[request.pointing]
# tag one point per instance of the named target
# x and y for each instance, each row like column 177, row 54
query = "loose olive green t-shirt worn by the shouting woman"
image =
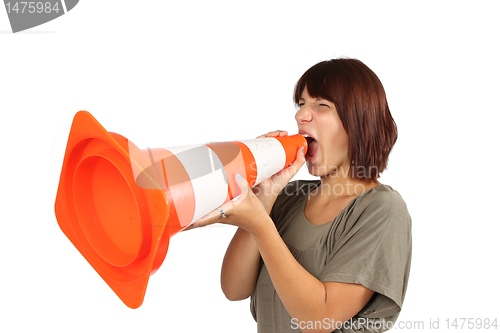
column 368, row 243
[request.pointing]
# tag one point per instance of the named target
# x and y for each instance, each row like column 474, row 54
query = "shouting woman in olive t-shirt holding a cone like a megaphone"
column 331, row 254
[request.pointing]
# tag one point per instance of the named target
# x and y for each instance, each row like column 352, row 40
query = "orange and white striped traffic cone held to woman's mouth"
column 119, row 205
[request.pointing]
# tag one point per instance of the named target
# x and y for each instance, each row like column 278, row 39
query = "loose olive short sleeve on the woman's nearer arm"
column 371, row 246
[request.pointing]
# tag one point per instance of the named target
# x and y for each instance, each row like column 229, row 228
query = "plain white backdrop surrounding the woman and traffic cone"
column 165, row 73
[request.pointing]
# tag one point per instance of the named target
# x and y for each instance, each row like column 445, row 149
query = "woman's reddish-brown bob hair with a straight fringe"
column 361, row 103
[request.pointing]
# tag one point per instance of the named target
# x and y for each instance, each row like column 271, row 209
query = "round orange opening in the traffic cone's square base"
column 107, row 210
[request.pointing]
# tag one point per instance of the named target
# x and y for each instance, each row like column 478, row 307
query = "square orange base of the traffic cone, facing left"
column 119, row 227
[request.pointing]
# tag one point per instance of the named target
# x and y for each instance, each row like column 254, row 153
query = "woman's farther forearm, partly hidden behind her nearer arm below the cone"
column 240, row 266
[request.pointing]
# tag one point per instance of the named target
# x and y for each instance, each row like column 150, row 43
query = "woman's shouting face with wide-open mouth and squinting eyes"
column 328, row 141
